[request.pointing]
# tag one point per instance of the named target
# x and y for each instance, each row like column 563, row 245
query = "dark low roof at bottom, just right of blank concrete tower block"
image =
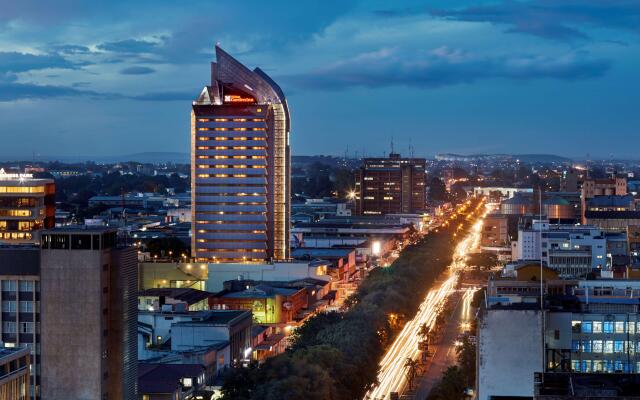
column 164, row 378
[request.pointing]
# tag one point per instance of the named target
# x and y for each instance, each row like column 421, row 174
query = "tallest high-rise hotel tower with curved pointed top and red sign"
column 240, row 167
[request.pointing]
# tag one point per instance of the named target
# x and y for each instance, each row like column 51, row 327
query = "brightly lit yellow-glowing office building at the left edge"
column 27, row 206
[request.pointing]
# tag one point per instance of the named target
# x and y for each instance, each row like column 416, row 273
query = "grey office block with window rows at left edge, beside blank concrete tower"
column 20, row 285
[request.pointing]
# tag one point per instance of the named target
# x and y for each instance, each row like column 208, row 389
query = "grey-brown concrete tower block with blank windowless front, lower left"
column 88, row 308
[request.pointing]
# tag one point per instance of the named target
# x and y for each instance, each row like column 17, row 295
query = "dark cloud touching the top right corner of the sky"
column 551, row 19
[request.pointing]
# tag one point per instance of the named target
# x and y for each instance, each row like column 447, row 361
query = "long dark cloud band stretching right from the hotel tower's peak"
column 444, row 66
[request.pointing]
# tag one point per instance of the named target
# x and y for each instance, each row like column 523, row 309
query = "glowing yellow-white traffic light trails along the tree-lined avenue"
column 392, row 374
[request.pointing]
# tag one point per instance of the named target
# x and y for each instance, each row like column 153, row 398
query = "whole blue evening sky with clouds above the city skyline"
column 100, row 78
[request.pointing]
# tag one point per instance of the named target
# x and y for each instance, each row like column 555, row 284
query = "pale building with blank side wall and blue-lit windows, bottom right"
column 590, row 326
